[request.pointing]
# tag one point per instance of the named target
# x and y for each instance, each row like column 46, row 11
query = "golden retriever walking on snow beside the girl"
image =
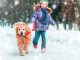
column 23, row 35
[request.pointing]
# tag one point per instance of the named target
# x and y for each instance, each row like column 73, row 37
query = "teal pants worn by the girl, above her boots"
column 36, row 38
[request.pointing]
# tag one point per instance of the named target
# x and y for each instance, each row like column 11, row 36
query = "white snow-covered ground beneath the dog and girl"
column 61, row 45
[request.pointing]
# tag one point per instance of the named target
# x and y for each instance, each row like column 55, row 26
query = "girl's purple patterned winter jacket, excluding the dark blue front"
column 41, row 27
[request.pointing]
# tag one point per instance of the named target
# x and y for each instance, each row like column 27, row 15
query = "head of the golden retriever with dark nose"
column 21, row 28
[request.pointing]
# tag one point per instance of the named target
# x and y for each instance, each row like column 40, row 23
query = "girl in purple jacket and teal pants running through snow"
column 41, row 19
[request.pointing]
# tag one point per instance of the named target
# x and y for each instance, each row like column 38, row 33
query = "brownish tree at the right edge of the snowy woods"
column 68, row 12
